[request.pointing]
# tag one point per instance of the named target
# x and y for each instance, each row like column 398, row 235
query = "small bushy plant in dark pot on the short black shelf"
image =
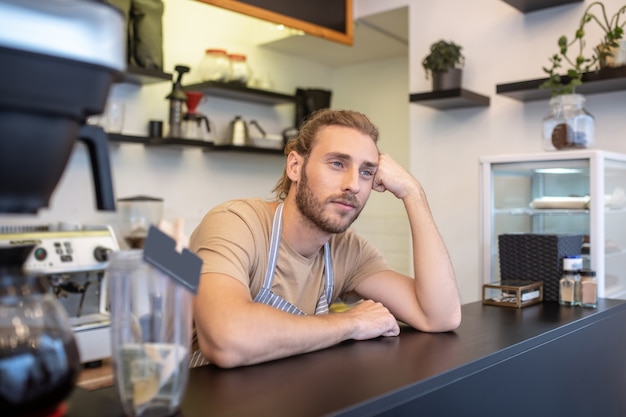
column 444, row 63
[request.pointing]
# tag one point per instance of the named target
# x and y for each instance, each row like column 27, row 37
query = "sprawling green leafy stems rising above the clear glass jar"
column 578, row 63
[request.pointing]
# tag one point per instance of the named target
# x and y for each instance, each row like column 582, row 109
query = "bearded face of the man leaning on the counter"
column 336, row 179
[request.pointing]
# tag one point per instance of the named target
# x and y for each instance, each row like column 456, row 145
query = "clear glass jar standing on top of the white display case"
column 568, row 125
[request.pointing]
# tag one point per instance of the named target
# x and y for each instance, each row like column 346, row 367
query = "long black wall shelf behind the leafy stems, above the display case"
column 605, row 80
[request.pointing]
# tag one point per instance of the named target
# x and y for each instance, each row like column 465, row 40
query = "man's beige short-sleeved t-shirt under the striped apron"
column 233, row 239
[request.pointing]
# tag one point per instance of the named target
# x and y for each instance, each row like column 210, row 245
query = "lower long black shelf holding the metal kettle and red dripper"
column 189, row 143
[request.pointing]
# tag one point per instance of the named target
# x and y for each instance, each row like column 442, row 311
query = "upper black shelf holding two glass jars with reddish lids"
column 240, row 92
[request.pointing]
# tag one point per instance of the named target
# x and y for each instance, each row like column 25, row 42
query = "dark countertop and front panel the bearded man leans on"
column 543, row 359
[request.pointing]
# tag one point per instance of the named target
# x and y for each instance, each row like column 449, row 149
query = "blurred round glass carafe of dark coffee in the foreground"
column 39, row 358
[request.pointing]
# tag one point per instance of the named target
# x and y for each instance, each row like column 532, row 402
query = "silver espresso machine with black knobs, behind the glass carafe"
column 74, row 261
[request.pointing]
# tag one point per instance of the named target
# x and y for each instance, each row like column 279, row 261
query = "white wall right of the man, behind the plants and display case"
column 501, row 45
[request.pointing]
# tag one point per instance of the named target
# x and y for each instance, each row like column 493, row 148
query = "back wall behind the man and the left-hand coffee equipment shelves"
column 190, row 181
